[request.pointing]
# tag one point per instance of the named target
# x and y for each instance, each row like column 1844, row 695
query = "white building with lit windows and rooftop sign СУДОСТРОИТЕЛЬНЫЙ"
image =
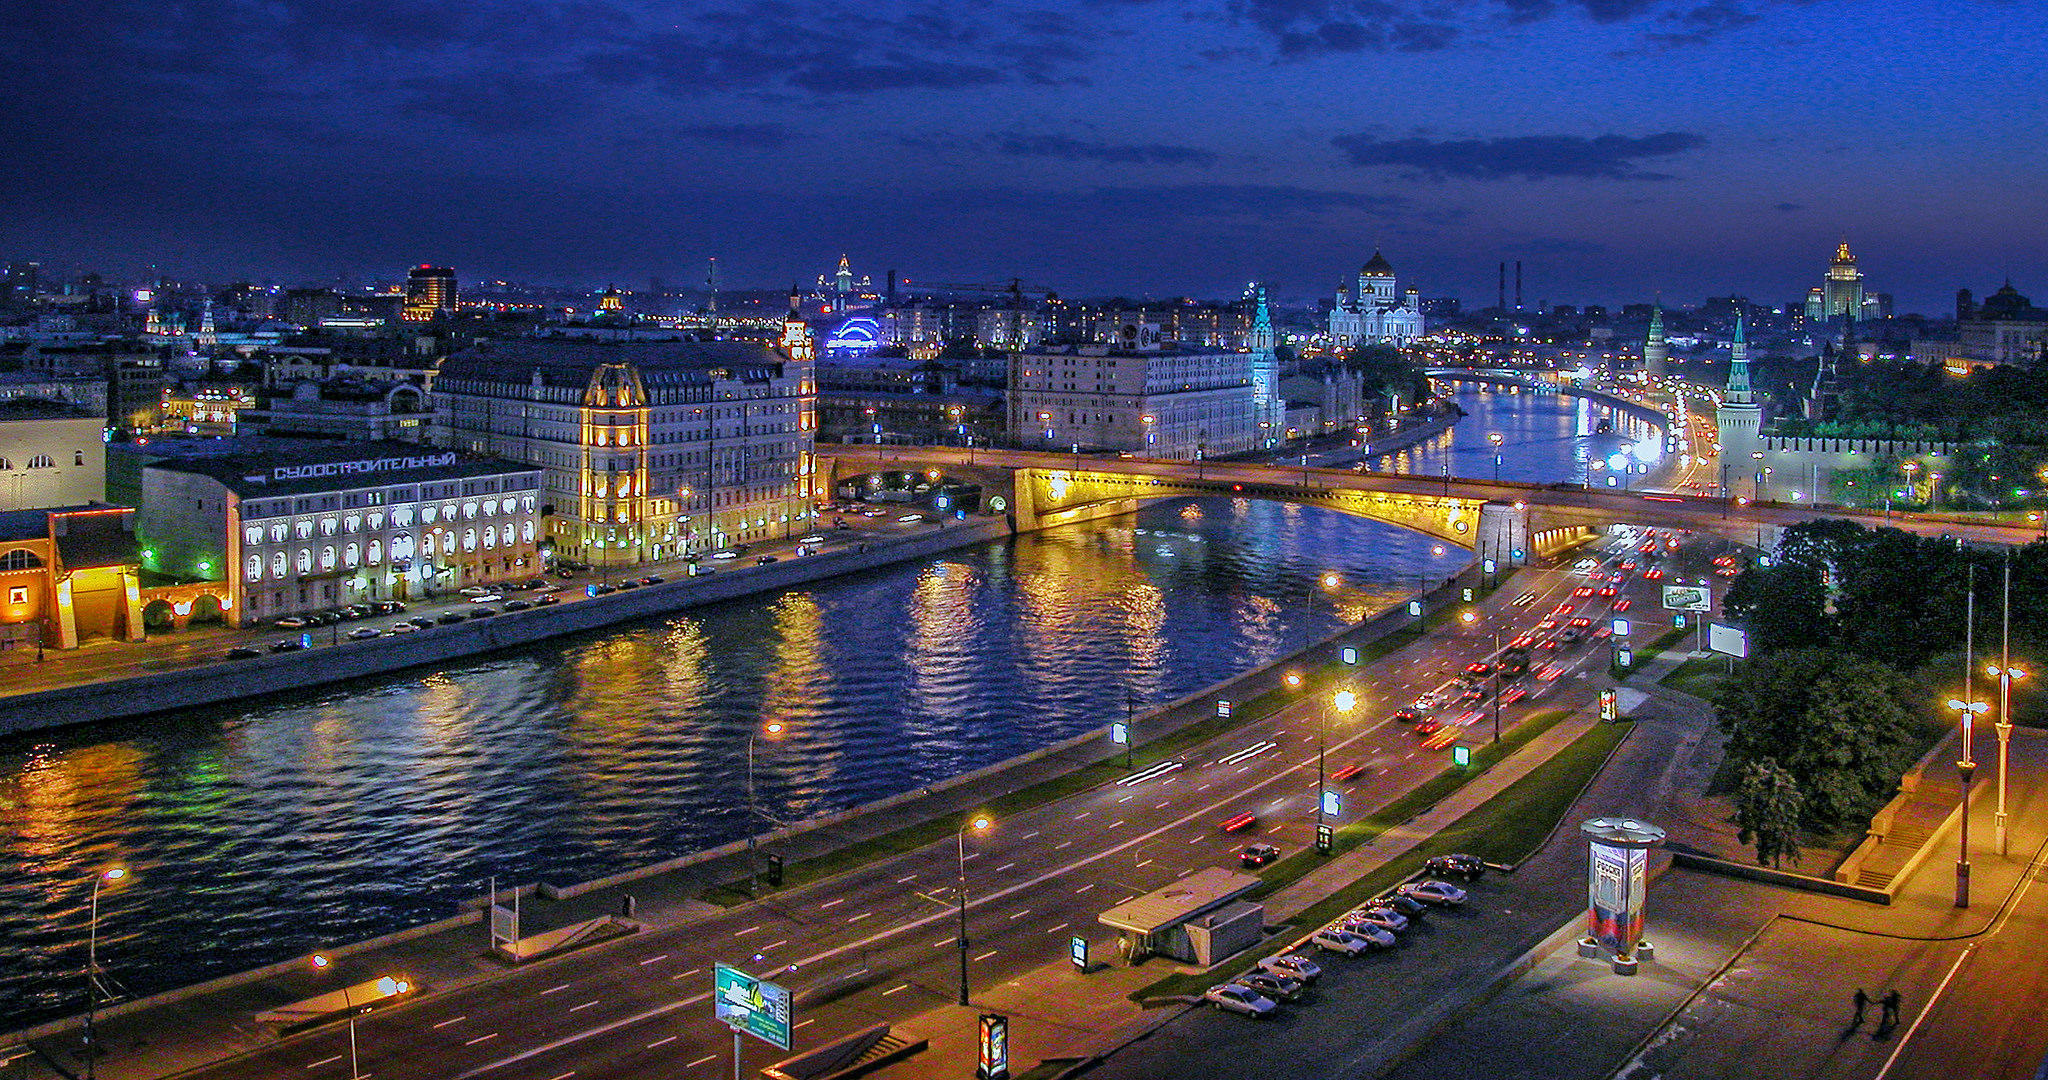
column 306, row 530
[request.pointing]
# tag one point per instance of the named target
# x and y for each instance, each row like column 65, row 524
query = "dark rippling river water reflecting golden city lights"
column 265, row 831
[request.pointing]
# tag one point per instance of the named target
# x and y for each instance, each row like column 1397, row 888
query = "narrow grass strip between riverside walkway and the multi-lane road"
column 1070, row 784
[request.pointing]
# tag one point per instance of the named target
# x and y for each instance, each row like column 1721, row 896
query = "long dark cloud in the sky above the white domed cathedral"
column 1527, row 157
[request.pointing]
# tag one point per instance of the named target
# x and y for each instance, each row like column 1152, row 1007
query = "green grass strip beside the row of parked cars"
column 1506, row 829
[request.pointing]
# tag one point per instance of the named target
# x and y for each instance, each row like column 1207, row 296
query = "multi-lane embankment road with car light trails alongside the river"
column 638, row 1007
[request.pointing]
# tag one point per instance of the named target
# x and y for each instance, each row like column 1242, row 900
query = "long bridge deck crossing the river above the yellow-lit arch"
column 1549, row 505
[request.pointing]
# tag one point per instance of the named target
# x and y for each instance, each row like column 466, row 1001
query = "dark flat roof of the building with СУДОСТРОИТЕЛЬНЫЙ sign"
column 333, row 466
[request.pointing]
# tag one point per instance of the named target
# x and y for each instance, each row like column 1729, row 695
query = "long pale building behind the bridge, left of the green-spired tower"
column 1150, row 399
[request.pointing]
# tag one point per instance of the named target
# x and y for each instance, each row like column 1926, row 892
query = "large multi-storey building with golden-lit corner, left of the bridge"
column 648, row 450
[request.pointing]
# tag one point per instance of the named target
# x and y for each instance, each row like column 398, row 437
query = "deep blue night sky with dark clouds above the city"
column 1140, row 147
